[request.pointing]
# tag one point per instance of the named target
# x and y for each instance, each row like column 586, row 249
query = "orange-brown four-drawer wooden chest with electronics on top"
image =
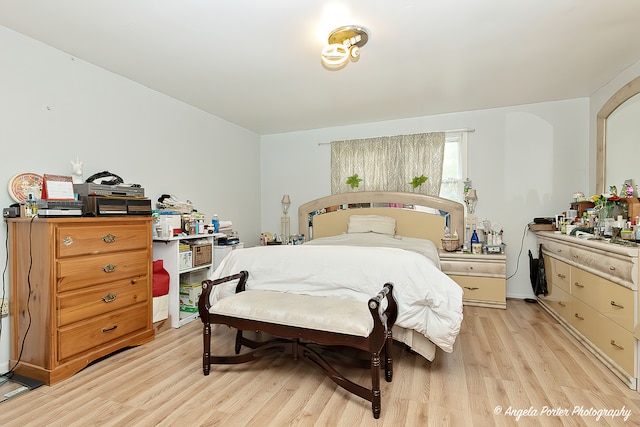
column 80, row 289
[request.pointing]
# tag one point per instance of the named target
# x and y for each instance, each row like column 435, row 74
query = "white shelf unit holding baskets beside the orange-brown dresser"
column 168, row 250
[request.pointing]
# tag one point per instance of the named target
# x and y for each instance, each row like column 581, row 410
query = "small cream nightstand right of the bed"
column 481, row 277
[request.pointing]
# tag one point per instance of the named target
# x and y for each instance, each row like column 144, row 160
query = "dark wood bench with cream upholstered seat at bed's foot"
column 304, row 326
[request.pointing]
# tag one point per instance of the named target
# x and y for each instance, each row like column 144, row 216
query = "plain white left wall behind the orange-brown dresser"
column 54, row 108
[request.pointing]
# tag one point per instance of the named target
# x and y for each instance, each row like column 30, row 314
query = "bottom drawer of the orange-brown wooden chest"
column 90, row 334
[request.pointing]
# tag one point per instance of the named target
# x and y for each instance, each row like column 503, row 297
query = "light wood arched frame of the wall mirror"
column 627, row 91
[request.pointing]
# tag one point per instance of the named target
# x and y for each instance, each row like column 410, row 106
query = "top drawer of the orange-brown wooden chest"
column 76, row 240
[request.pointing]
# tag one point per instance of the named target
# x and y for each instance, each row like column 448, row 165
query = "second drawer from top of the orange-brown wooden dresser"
column 81, row 272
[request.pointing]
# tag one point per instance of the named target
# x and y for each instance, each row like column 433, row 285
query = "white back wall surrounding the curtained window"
column 525, row 162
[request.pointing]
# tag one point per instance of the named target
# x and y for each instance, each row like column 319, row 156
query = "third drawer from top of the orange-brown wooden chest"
column 101, row 299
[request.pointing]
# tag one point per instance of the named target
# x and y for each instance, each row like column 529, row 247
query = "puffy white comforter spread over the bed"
column 428, row 300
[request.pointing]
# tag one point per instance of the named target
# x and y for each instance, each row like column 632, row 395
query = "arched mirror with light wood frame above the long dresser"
column 618, row 138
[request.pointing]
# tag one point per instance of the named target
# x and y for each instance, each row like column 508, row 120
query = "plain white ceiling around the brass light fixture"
column 256, row 63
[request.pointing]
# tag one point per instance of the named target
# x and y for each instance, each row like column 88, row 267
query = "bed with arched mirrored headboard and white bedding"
column 343, row 258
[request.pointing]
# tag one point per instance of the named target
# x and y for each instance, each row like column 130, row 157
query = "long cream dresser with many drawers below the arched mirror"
column 593, row 293
